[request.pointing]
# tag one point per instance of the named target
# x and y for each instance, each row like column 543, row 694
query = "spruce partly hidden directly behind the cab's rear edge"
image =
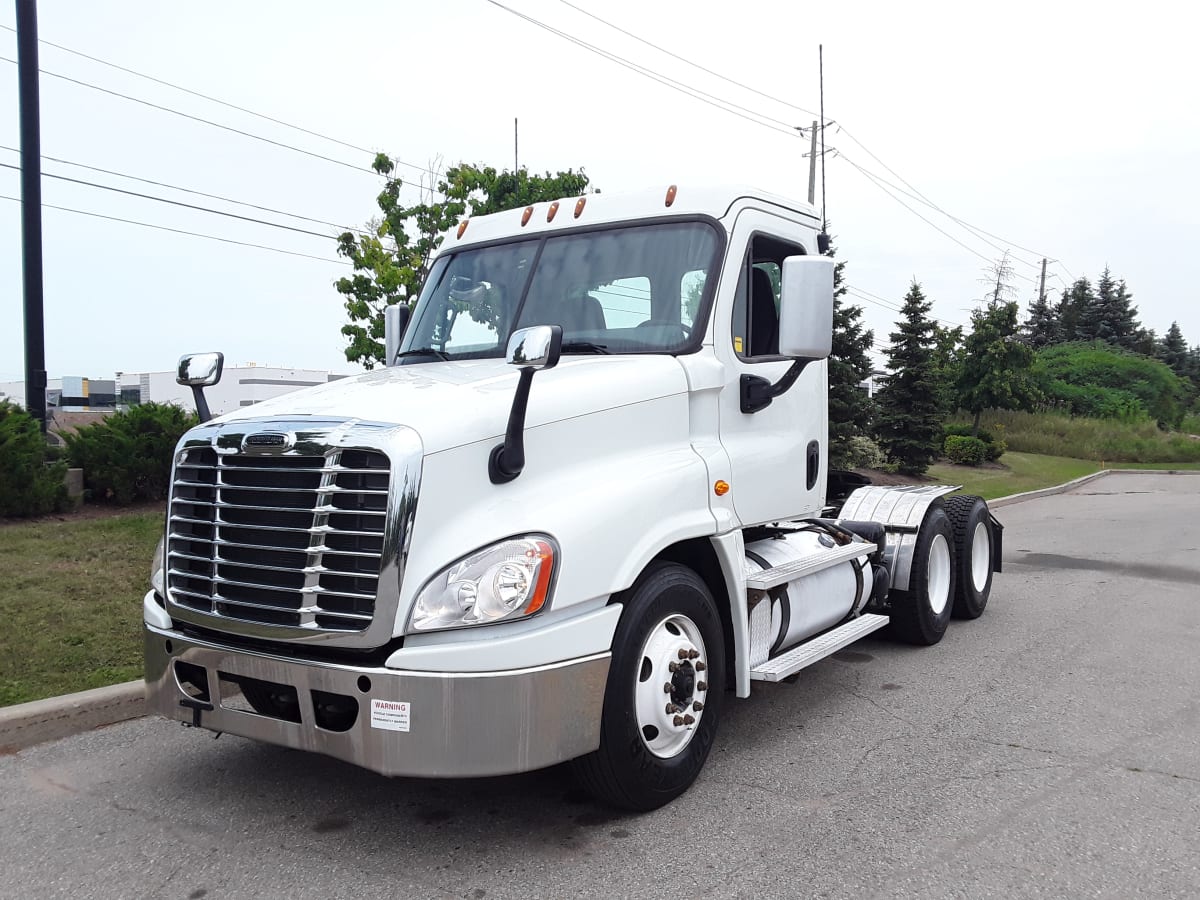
column 850, row 405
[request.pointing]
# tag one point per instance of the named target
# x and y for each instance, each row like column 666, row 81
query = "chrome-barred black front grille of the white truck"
column 289, row 541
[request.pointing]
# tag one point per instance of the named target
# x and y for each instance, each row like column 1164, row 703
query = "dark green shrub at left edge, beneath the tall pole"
column 29, row 485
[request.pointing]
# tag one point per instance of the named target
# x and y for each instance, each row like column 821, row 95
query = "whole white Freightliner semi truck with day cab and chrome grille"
column 587, row 500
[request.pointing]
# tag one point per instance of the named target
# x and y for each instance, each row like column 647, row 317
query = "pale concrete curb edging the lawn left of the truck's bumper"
column 41, row 721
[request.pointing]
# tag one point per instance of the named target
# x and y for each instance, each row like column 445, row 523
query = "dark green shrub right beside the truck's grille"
column 128, row 457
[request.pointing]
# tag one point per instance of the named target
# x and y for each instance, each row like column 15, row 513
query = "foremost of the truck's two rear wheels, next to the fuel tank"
column 921, row 614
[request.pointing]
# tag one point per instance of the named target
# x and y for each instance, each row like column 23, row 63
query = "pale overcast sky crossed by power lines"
column 1063, row 130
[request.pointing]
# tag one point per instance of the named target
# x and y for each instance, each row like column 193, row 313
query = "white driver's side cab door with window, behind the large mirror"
column 778, row 454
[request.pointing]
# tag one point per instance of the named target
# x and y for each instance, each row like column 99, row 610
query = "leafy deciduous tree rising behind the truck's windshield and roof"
column 392, row 257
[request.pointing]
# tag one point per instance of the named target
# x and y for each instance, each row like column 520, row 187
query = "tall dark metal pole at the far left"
column 32, row 209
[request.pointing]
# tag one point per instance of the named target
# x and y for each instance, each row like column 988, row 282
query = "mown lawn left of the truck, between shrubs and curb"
column 71, row 603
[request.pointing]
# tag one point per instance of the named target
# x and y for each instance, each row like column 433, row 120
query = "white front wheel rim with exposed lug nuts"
column 671, row 687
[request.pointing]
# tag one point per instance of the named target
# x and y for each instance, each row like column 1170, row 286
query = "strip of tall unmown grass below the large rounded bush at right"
column 1106, row 441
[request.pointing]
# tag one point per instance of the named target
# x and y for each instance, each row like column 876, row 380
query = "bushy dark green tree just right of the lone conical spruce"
column 998, row 368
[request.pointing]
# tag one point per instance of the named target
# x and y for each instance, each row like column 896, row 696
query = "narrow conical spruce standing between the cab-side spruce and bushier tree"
column 909, row 424
